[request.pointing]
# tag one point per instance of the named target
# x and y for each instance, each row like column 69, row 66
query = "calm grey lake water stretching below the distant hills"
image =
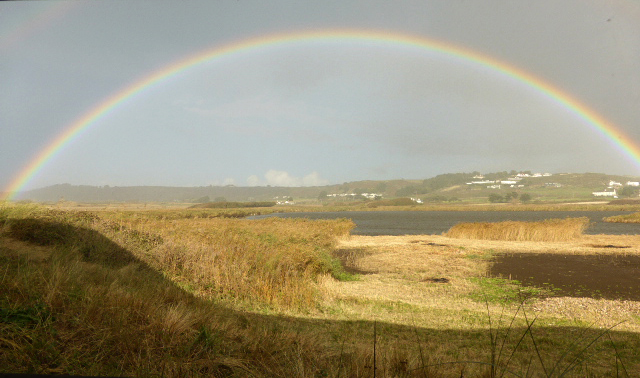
column 436, row 222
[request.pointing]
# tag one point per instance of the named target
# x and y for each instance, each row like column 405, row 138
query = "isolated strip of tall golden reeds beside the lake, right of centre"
column 550, row 230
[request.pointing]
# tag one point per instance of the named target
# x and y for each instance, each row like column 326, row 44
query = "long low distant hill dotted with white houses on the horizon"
column 445, row 187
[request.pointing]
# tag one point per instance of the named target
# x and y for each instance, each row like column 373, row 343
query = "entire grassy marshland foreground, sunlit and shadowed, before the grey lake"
column 176, row 292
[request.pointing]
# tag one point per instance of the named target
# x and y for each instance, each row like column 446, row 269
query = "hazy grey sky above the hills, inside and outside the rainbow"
column 314, row 112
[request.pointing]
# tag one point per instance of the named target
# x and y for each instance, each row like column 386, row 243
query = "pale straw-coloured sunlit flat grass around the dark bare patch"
column 396, row 268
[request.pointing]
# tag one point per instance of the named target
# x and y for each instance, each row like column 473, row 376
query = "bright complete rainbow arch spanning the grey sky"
column 609, row 131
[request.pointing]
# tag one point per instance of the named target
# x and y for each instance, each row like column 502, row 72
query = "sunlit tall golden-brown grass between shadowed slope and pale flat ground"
column 272, row 262
